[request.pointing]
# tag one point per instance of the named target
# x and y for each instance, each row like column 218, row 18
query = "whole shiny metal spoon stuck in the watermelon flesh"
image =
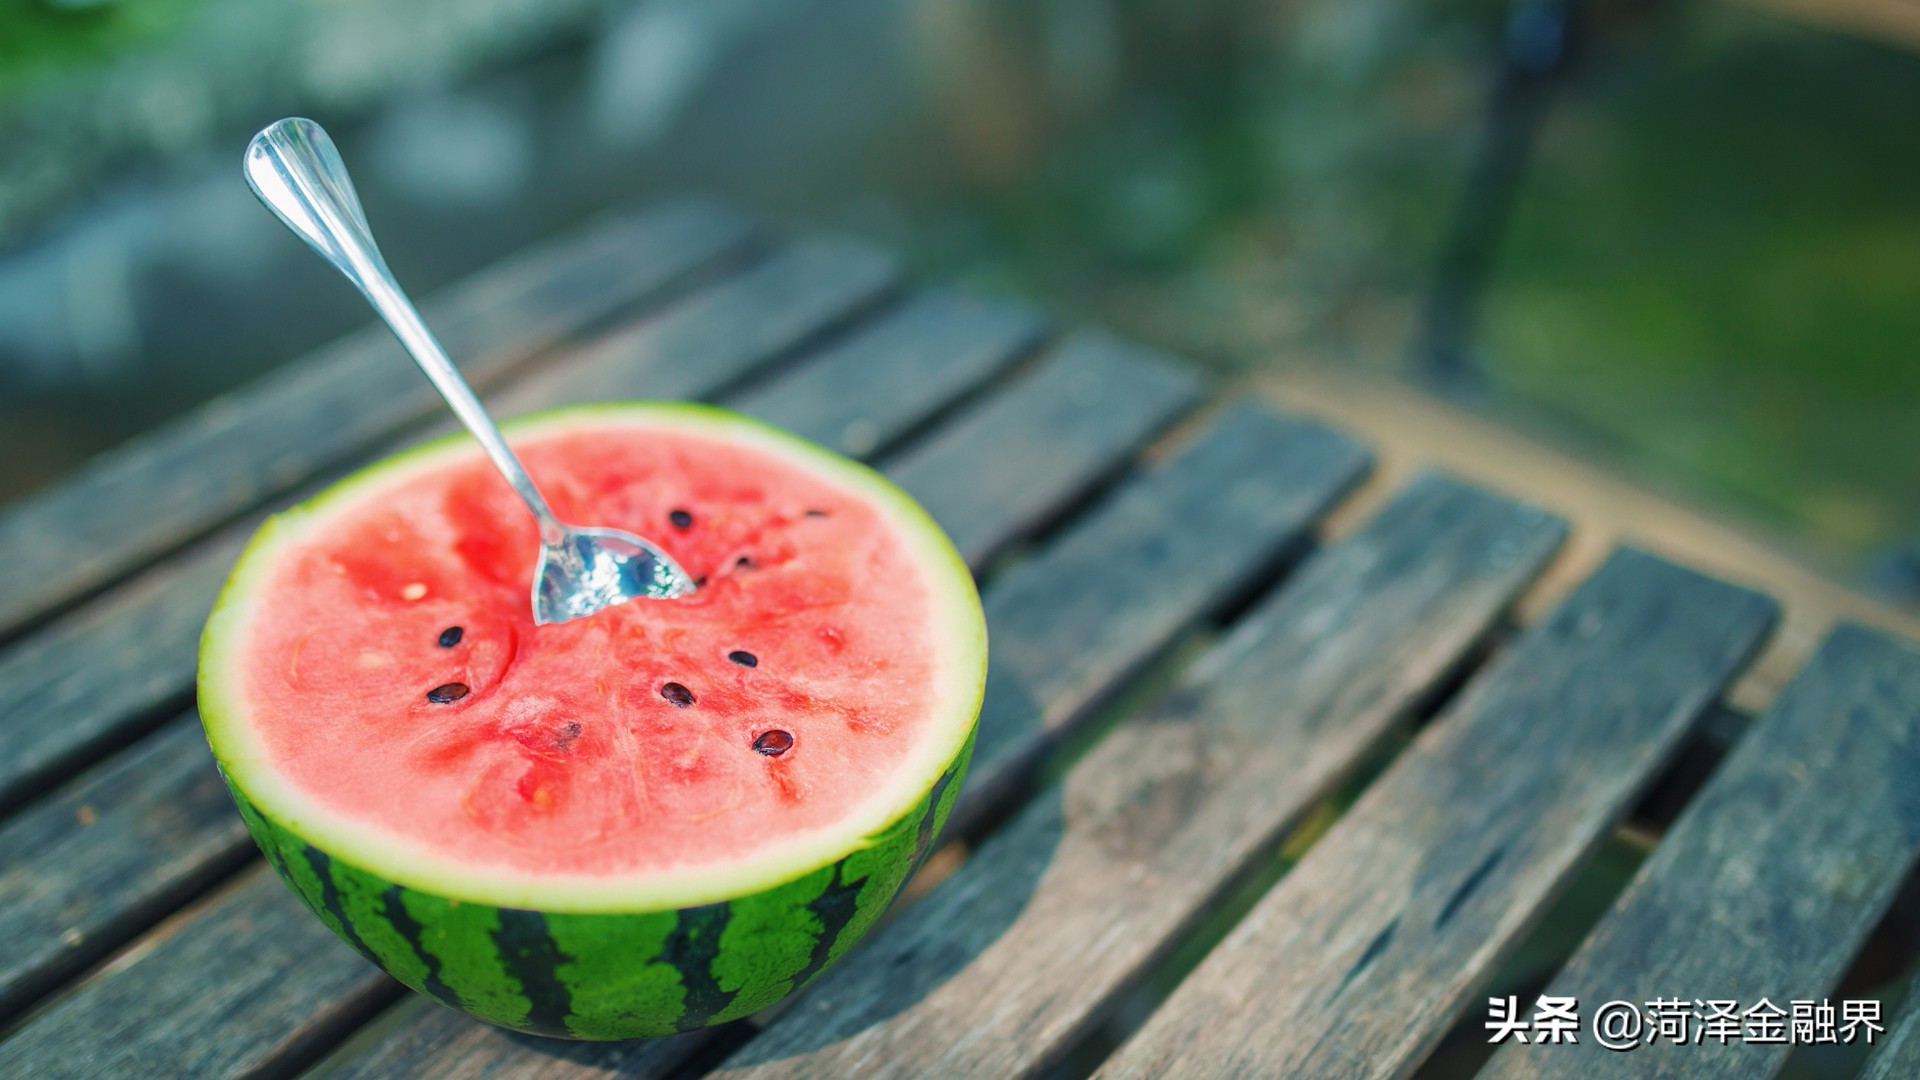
column 295, row 168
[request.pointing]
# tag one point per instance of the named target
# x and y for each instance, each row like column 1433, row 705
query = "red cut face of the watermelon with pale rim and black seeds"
column 389, row 687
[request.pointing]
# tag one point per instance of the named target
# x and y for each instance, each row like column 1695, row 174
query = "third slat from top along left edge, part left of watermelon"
column 108, row 858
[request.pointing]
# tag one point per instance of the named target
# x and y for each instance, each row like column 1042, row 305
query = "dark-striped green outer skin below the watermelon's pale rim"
column 612, row 977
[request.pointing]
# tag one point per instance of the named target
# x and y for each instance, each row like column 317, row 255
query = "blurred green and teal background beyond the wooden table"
column 1675, row 237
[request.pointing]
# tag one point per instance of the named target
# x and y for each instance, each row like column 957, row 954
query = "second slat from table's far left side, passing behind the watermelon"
column 59, row 712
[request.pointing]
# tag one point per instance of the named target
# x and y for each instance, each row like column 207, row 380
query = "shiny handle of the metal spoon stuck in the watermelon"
column 295, row 168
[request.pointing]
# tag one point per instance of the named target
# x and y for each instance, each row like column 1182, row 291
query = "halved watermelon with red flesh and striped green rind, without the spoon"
column 654, row 820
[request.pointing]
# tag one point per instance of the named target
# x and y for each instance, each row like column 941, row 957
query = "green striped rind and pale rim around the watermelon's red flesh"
column 638, row 960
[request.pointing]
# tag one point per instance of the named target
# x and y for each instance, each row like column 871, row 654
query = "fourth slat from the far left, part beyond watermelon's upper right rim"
column 1065, row 430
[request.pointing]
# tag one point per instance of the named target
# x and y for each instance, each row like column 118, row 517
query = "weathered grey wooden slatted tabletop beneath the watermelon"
column 1184, row 674
